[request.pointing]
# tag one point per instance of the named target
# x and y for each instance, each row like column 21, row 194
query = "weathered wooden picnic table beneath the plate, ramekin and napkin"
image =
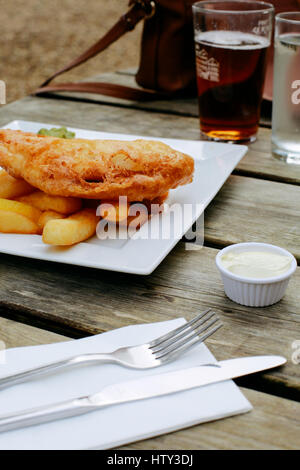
column 43, row 302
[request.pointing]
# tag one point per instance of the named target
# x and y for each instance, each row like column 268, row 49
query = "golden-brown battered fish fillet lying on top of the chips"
column 94, row 169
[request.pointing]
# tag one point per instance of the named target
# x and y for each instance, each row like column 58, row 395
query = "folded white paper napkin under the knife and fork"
column 115, row 425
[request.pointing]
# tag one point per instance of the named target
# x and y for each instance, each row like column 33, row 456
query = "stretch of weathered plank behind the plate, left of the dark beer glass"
column 100, row 117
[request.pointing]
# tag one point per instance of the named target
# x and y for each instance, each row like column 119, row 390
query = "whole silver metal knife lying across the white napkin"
column 141, row 389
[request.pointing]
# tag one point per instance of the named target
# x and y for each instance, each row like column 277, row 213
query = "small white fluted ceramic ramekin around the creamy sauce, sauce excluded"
column 253, row 292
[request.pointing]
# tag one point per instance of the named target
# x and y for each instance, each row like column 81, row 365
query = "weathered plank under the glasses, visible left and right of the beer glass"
column 258, row 161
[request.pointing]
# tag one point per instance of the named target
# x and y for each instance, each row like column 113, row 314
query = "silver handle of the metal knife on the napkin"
column 45, row 414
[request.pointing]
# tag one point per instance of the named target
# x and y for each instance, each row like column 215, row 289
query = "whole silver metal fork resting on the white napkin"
column 160, row 351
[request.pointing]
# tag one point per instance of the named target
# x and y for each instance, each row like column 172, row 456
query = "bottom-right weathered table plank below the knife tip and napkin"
column 273, row 424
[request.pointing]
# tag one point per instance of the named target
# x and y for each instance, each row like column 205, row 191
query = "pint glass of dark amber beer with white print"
column 231, row 40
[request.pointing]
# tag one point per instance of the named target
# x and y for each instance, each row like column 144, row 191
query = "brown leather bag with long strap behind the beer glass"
column 167, row 64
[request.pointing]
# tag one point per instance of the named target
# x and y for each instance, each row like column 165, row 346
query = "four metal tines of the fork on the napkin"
column 186, row 336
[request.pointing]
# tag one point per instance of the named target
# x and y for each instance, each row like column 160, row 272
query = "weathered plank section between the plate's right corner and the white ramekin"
column 250, row 209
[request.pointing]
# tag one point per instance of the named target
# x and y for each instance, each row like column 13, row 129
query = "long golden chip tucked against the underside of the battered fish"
column 45, row 202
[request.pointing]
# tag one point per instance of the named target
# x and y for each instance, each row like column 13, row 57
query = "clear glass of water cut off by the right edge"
column 286, row 96
